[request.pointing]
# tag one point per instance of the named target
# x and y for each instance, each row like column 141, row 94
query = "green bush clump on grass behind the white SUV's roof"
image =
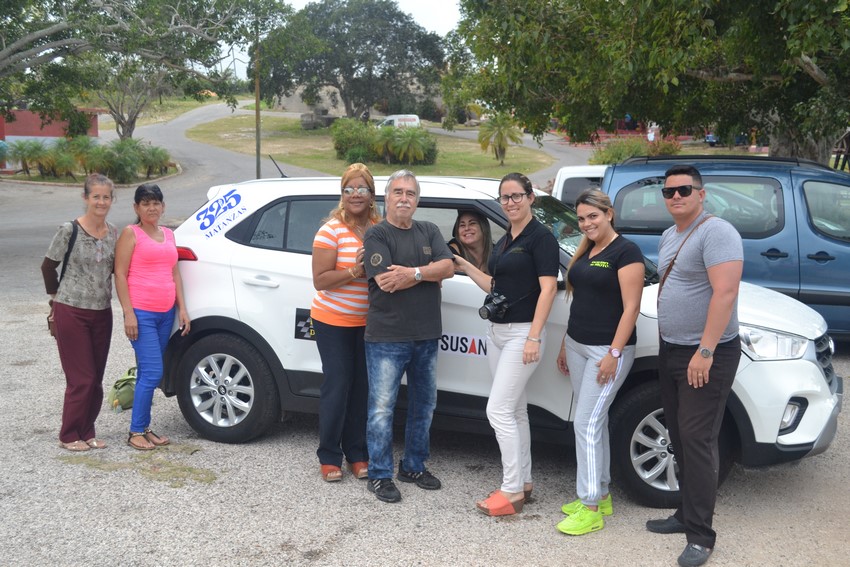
column 355, row 141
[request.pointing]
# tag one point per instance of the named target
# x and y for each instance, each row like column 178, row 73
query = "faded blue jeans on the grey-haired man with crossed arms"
column 387, row 362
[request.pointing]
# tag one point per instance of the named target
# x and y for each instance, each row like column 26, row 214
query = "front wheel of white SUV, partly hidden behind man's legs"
column 641, row 460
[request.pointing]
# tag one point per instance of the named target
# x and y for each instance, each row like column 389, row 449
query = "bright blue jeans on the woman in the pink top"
column 154, row 330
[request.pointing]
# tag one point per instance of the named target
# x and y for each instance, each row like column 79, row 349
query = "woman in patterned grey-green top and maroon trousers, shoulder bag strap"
column 81, row 299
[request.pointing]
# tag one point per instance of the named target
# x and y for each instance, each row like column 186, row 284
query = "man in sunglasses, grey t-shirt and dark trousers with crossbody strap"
column 700, row 258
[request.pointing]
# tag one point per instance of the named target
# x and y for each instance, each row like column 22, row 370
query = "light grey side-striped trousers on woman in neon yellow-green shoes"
column 593, row 447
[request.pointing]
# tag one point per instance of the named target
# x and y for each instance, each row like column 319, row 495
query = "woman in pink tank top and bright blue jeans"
column 151, row 294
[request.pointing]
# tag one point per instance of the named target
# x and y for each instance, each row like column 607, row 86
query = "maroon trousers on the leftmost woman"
column 83, row 337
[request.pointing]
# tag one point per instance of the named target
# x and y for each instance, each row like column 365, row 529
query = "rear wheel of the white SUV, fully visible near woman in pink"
column 225, row 389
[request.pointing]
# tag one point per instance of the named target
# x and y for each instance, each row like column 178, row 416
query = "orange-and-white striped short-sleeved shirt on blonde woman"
column 345, row 306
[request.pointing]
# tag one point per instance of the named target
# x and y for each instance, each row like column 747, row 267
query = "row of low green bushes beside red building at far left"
column 123, row 161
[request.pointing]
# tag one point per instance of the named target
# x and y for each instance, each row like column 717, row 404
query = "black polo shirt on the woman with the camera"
column 516, row 264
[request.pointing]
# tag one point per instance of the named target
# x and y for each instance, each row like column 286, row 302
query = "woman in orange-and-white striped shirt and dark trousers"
column 339, row 320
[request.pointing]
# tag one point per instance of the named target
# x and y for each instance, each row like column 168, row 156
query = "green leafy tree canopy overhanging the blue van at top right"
column 782, row 66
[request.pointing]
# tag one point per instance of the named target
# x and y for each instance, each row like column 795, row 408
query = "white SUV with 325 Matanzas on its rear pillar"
column 246, row 267
